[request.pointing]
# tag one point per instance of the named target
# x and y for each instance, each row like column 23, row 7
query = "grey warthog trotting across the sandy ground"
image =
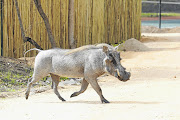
column 88, row 63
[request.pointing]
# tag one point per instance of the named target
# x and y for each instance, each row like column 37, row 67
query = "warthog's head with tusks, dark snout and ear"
column 113, row 66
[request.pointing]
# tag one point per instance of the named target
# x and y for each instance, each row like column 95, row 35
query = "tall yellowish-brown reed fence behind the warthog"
column 96, row 21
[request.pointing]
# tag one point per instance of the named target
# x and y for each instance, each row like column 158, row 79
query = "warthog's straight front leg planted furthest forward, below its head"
column 97, row 88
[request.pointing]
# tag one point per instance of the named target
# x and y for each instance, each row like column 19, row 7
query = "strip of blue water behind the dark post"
column 164, row 23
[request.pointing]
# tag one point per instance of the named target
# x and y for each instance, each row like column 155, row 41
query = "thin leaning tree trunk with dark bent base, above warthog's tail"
column 25, row 39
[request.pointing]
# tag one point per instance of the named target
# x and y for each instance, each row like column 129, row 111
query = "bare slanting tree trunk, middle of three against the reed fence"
column 46, row 21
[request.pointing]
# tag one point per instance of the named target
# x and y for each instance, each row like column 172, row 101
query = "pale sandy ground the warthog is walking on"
column 151, row 94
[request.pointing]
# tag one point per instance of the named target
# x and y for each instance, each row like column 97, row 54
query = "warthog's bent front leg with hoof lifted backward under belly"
column 84, row 86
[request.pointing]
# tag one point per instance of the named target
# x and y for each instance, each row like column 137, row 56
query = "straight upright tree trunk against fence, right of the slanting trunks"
column 71, row 24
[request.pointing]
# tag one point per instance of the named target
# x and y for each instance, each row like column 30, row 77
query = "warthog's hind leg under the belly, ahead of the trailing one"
column 55, row 79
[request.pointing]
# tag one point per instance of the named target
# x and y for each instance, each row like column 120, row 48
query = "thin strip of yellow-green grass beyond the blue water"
column 162, row 14
